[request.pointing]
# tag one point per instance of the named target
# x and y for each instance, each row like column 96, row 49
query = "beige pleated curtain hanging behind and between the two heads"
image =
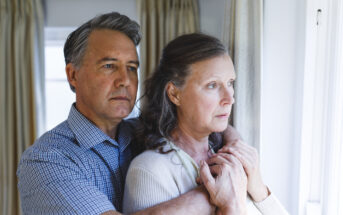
column 161, row 21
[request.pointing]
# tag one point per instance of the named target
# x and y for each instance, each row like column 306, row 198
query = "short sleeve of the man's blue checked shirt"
column 52, row 183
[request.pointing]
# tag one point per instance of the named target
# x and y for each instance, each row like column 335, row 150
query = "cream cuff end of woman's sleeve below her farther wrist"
column 271, row 206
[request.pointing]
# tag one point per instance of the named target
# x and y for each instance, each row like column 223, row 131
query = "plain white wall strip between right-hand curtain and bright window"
column 282, row 76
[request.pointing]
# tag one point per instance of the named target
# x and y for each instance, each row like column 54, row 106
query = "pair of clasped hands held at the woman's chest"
column 230, row 174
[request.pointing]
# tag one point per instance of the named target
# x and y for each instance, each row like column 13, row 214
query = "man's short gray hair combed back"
column 76, row 44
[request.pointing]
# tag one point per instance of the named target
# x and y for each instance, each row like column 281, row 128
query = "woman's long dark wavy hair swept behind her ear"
column 158, row 114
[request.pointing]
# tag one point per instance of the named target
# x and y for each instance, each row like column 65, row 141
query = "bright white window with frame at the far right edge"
column 321, row 177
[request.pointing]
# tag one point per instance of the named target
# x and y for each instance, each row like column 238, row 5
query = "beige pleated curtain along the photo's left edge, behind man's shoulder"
column 19, row 72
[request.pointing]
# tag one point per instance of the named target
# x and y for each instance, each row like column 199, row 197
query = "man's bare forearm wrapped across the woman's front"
column 195, row 201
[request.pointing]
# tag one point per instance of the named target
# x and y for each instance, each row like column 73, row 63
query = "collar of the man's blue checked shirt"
column 86, row 133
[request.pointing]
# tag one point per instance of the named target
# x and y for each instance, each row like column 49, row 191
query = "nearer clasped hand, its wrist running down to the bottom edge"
column 228, row 188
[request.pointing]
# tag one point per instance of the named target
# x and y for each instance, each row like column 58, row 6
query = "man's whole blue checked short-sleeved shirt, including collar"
column 75, row 169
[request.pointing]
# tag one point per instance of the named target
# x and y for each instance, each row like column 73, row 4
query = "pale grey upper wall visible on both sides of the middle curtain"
column 72, row 13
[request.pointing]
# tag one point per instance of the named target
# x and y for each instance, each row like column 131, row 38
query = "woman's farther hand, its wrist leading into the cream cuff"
column 248, row 157
